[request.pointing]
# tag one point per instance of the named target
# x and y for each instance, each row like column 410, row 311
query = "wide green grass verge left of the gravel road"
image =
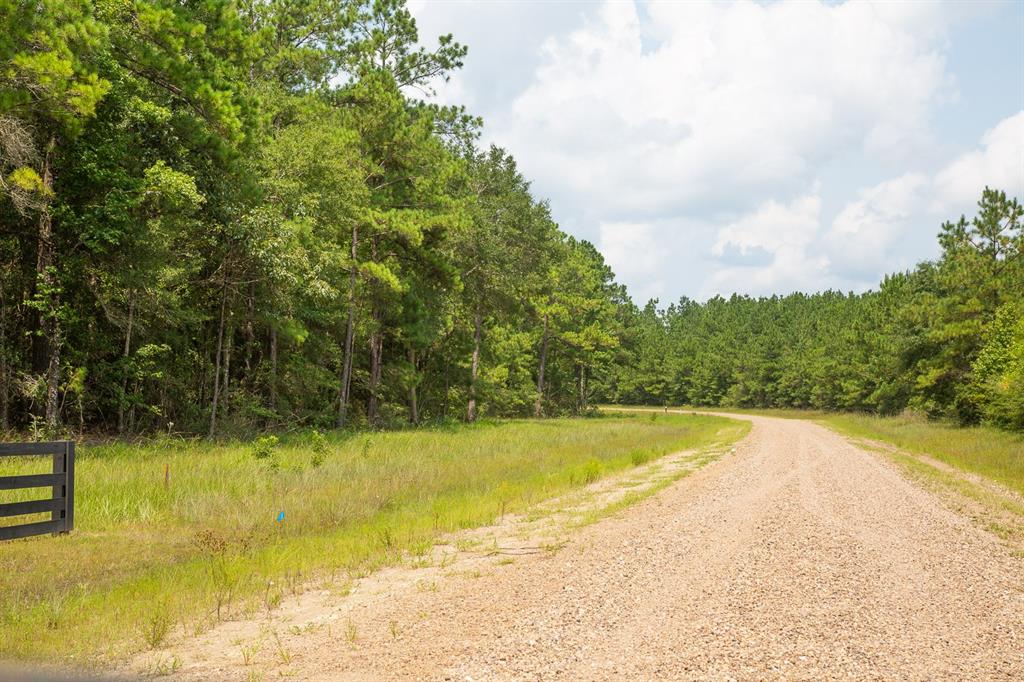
column 148, row 561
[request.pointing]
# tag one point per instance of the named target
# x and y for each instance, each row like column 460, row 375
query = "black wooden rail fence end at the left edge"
column 62, row 503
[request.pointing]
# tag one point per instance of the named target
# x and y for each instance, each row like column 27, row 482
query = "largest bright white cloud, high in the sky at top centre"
column 723, row 105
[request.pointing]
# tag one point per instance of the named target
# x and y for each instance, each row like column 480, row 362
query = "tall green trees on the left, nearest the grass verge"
column 250, row 219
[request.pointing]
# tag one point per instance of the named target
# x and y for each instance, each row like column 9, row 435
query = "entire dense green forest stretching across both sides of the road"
column 220, row 218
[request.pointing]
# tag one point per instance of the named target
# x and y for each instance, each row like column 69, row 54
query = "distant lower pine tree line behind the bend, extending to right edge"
column 946, row 339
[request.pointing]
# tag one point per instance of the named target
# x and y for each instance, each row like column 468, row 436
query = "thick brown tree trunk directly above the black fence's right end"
column 46, row 280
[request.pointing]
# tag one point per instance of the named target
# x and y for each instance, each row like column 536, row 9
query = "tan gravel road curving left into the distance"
column 799, row 557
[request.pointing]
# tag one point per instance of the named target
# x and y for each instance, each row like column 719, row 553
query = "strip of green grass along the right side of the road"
column 991, row 453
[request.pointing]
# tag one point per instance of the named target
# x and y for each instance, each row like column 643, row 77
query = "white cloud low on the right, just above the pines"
column 889, row 227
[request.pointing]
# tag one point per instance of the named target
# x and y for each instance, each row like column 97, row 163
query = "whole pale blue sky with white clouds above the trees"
column 752, row 148
